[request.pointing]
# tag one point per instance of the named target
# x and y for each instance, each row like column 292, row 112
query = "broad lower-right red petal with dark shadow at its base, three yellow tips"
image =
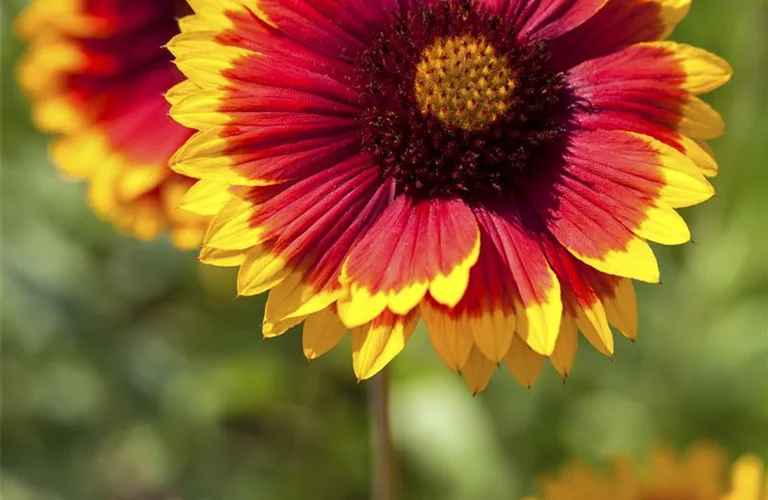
column 610, row 185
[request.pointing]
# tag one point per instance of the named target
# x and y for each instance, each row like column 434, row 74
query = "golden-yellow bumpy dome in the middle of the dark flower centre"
column 463, row 82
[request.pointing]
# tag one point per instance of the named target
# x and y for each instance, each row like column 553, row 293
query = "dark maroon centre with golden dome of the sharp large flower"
column 456, row 104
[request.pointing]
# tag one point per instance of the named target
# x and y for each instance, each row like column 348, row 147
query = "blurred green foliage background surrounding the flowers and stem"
column 131, row 373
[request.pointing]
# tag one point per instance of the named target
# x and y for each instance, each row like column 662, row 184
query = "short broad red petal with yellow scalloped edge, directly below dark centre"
column 413, row 248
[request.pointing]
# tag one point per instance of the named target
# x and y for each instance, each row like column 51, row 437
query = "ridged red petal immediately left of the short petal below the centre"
column 312, row 226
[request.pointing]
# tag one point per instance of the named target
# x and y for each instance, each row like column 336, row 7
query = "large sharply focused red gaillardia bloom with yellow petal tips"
column 496, row 167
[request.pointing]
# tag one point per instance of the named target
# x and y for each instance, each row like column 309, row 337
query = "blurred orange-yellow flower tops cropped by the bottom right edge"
column 700, row 475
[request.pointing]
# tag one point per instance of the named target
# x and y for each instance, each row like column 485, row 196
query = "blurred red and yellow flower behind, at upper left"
column 96, row 72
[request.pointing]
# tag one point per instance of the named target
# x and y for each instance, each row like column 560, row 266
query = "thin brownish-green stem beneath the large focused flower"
column 384, row 484
